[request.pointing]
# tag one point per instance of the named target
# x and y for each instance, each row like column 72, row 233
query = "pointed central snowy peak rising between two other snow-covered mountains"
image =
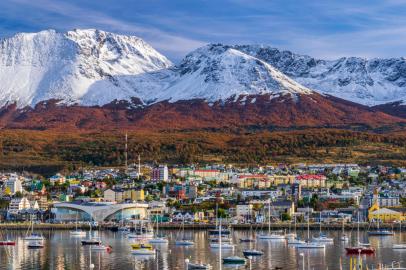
column 216, row 72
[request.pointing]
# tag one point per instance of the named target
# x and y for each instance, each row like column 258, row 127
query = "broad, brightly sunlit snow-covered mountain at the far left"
column 81, row 66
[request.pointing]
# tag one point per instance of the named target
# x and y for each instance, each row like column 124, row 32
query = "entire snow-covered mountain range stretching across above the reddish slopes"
column 92, row 67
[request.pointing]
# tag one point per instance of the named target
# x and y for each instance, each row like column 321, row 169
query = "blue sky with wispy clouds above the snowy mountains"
column 322, row 28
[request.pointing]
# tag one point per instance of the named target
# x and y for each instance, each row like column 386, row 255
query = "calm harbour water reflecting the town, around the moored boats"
column 65, row 252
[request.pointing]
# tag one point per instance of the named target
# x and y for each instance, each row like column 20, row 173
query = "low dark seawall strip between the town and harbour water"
column 176, row 226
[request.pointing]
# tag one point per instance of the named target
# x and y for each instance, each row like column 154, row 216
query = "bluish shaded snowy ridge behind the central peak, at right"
column 365, row 81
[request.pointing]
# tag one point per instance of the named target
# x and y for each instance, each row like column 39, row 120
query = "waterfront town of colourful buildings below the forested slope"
column 171, row 195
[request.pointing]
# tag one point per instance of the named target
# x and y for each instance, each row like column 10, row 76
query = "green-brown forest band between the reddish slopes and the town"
column 51, row 151
